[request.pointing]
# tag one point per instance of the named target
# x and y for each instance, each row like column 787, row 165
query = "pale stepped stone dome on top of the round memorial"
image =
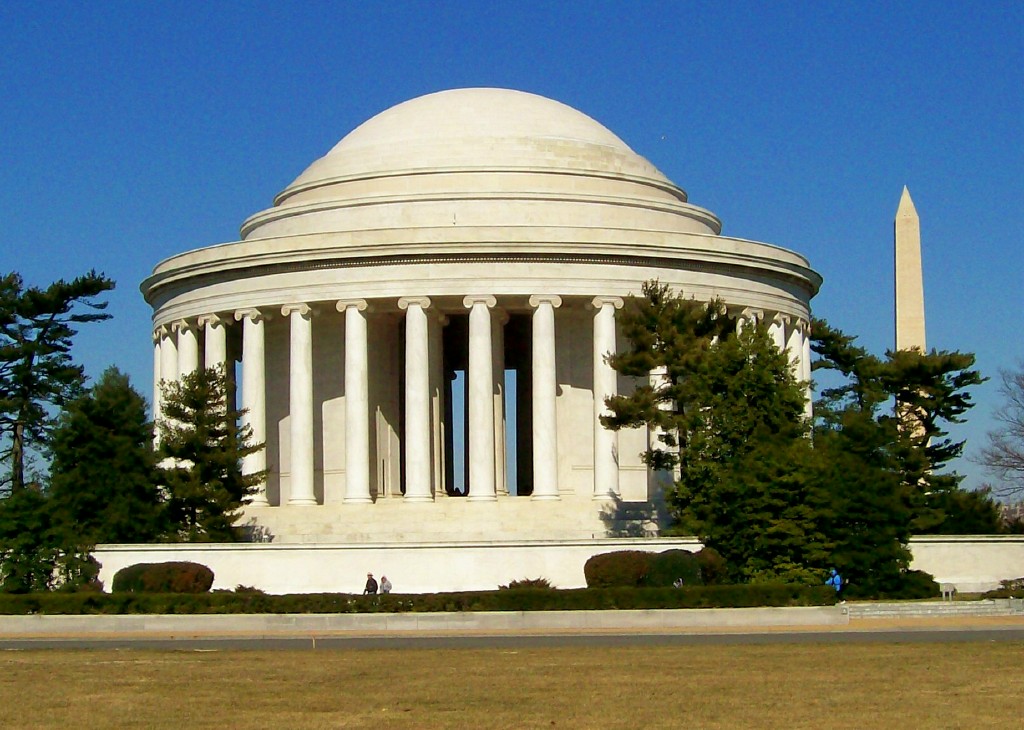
column 479, row 157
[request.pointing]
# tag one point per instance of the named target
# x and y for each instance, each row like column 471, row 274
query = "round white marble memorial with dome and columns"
column 419, row 325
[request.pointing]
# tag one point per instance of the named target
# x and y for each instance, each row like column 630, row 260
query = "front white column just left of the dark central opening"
column 418, row 470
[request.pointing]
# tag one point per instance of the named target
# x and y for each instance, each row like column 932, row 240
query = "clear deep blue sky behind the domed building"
column 134, row 132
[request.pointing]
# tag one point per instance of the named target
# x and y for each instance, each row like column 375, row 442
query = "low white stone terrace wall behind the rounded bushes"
column 973, row 564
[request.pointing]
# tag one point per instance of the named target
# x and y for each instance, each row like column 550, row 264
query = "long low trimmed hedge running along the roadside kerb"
column 506, row 600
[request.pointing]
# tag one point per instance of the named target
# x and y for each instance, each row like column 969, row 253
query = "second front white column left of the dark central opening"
column 357, row 403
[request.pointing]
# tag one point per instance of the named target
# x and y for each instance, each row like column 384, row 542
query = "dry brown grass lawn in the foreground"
column 970, row 685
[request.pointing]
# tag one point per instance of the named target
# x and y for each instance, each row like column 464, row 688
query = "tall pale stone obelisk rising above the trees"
column 910, row 278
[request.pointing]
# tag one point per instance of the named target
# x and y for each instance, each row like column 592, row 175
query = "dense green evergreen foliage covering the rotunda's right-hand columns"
column 730, row 415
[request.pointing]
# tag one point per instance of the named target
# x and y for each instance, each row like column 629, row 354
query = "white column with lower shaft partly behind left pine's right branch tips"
column 254, row 393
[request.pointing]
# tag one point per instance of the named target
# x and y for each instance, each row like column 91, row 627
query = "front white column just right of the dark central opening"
column 545, row 393
